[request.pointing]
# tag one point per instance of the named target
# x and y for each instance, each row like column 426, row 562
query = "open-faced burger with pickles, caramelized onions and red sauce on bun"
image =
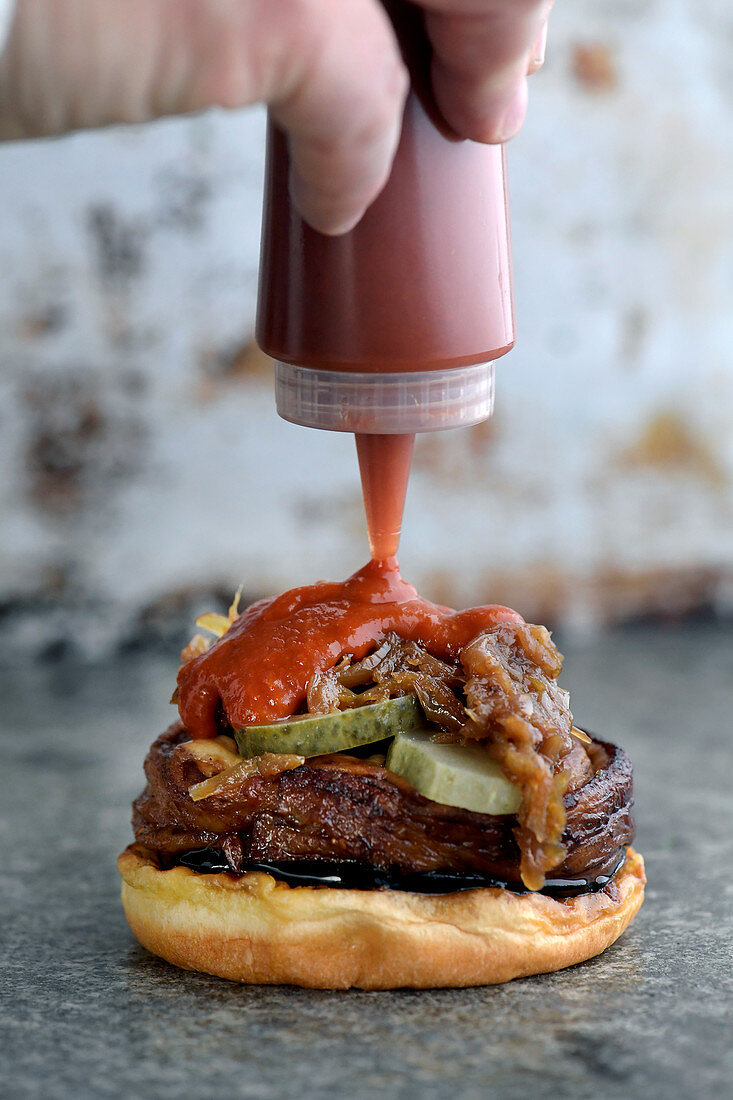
column 369, row 790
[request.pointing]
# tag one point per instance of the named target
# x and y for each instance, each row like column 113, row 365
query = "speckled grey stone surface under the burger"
column 89, row 1014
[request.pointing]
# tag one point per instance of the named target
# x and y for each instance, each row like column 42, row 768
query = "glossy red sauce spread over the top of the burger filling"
column 259, row 672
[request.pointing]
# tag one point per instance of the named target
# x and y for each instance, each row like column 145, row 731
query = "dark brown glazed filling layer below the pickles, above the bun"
column 341, row 809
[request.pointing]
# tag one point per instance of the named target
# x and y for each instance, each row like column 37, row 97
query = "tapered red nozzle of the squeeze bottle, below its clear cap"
column 385, row 467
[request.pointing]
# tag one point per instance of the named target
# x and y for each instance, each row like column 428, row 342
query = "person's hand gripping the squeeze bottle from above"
column 330, row 70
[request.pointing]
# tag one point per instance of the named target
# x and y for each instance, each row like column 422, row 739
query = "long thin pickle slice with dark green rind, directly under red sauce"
column 316, row 734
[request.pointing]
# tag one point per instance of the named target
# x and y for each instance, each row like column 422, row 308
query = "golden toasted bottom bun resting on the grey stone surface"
column 257, row 930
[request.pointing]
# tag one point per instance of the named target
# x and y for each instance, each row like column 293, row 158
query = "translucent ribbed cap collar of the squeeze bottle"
column 386, row 403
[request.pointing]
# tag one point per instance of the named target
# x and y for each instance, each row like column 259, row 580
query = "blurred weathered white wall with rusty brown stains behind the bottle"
column 147, row 475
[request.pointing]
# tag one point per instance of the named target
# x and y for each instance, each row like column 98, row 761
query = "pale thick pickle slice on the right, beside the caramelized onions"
column 454, row 775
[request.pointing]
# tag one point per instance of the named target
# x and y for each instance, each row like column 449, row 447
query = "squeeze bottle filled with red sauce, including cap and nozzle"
column 395, row 327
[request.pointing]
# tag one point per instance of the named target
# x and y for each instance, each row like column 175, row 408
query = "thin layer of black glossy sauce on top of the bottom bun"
column 302, row 873
